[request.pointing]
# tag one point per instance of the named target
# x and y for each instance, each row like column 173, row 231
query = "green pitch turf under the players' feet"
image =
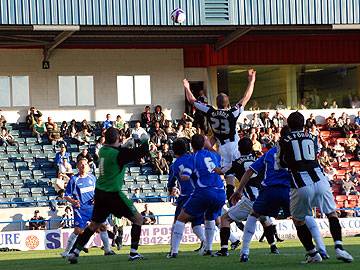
column 291, row 256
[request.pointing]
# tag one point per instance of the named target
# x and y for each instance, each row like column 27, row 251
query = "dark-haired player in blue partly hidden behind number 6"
column 186, row 187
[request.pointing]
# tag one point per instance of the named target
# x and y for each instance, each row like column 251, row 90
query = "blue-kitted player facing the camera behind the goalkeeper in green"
column 80, row 193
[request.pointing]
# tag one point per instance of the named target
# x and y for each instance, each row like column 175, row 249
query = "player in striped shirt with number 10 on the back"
column 309, row 186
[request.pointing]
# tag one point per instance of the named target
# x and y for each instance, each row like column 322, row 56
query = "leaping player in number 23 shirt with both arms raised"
column 223, row 122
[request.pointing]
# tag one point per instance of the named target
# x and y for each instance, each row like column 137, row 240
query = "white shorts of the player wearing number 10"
column 317, row 194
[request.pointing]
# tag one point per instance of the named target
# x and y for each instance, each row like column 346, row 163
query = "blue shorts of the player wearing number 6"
column 206, row 202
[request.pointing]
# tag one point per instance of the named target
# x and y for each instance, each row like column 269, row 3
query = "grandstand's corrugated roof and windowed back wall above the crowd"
column 105, row 57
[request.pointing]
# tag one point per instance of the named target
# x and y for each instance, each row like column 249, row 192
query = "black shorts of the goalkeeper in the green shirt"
column 116, row 203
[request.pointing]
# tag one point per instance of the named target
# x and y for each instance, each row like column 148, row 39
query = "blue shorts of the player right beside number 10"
column 271, row 200
